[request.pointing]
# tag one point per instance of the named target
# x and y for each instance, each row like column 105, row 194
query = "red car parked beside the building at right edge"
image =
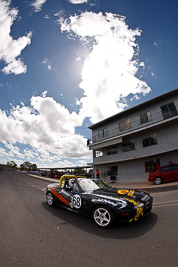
column 166, row 173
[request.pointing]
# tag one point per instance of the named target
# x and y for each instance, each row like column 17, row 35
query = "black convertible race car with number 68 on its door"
column 93, row 197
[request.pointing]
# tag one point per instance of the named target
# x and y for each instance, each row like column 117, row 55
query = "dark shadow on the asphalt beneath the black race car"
column 86, row 224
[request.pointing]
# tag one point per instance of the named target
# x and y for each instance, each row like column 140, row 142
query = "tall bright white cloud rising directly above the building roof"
column 109, row 72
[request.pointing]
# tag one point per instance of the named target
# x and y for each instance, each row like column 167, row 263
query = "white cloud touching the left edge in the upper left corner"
column 10, row 49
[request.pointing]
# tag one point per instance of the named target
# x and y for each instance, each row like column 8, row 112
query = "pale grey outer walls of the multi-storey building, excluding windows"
column 131, row 164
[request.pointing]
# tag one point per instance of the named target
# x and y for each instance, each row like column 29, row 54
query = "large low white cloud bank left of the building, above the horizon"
column 47, row 126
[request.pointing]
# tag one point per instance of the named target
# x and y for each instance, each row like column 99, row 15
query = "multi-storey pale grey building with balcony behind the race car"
column 129, row 144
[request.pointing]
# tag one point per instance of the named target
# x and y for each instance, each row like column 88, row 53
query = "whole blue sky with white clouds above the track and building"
column 66, row 64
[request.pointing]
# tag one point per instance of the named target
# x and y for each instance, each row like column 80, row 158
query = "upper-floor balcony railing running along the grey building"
column 132, row 126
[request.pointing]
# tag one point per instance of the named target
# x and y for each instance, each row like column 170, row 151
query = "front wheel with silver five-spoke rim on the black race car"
column 103, row 216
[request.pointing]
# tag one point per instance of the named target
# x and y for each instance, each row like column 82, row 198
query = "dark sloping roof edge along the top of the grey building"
column 137, row 107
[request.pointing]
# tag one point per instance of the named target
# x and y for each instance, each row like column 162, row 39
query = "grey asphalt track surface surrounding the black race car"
column 36, row 235
